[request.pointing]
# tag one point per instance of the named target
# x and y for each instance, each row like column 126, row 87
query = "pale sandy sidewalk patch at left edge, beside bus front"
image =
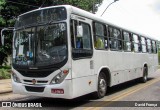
column 5, row 86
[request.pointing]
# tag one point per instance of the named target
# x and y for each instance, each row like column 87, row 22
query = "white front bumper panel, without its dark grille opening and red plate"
column 19, row 88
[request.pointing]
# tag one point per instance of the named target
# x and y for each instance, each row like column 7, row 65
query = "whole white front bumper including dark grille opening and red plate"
column 63, row 90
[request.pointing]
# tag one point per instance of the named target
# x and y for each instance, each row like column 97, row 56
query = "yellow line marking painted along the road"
column 120, row 96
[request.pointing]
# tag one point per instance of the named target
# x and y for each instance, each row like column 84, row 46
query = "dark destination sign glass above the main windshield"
column 41, row 16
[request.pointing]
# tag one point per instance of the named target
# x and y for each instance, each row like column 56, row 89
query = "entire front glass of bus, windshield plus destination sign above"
column 40, row 38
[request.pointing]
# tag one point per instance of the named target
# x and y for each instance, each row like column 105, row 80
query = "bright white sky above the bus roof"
column 142, row 16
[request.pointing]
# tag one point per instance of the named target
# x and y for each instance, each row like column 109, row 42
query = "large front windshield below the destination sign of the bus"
column 39, row 46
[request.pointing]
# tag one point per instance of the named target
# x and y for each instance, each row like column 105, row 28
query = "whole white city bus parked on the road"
column 66, row 52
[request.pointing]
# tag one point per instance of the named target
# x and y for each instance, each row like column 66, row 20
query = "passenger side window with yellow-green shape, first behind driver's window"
column 100, row 36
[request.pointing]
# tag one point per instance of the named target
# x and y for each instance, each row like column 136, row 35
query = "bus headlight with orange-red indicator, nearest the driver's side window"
column 60, row 77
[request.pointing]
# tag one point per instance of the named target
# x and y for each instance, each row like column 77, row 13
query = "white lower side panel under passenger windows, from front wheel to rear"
column 124, row 66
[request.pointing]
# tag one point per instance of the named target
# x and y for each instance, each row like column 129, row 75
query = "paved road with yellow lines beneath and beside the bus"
column 130, row 91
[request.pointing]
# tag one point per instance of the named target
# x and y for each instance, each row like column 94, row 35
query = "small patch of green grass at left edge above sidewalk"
column 5, row 72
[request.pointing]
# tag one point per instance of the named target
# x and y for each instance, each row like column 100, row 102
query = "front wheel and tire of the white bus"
column 102, row 86
